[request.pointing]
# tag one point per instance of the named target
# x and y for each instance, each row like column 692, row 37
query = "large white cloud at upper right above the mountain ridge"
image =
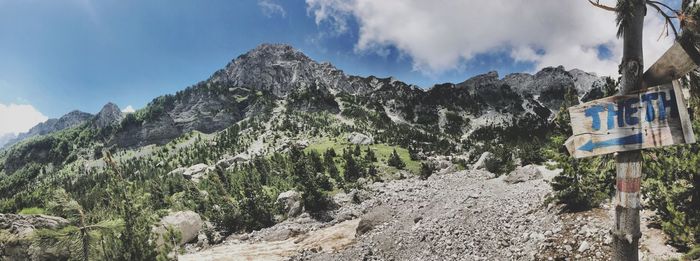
column 439, row 35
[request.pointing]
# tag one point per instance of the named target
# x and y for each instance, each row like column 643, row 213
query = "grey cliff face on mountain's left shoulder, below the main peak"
column 206, row 107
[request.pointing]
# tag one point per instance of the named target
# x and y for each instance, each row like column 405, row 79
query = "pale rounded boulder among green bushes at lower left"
column 188, row 223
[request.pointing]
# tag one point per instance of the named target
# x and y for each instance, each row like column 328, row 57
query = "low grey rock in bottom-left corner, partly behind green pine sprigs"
column 16, row 237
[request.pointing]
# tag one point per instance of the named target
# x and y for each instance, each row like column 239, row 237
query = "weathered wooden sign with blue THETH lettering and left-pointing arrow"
column 649, row 118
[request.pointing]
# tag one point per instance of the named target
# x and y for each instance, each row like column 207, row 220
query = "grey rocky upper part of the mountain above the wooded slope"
column 273, row 82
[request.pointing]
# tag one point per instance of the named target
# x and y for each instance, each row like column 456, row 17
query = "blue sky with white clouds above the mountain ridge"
column 57, row 56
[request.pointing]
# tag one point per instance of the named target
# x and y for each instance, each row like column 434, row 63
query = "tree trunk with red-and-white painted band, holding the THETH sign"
column 626, row 232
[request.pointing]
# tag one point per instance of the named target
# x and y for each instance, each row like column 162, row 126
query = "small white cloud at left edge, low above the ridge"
column 17, row 118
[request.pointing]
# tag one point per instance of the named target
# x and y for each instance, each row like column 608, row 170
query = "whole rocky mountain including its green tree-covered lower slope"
column 275, row 124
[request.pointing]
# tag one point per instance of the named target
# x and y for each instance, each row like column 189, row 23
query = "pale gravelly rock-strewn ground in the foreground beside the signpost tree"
column 464, row 215
